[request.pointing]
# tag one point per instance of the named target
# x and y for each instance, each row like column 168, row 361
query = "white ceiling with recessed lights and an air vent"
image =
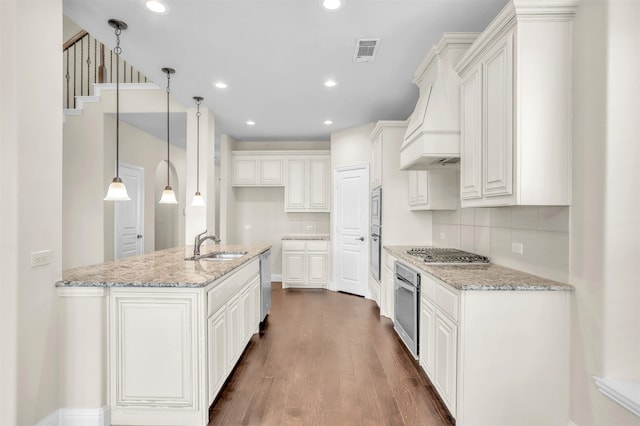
column 276, row 54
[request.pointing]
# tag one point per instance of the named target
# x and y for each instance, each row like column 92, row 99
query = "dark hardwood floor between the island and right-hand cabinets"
column 327, row 358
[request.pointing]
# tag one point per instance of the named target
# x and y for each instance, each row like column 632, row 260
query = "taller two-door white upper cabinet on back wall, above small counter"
column 307, row 187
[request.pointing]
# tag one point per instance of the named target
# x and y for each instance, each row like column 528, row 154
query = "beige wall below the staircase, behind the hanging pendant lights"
column 89, row 159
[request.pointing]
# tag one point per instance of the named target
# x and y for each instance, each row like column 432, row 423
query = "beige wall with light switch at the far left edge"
column 30, row 217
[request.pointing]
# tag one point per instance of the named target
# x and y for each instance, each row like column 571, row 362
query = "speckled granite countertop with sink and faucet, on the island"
column 164, row 268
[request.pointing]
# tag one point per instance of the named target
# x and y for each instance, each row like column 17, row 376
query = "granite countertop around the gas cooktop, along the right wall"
column 480, row 277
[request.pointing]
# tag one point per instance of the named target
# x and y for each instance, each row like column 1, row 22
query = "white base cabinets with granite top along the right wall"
column 494, row 341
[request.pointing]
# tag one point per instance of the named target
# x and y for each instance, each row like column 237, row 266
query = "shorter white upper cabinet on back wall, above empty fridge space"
column 253, row 168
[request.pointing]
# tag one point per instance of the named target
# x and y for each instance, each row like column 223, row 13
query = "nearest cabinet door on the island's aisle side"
column 217, row 351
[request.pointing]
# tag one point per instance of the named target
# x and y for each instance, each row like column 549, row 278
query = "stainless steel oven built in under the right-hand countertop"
column 407, row 306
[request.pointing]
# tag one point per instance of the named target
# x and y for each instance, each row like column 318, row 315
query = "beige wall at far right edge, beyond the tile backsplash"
column 604, row 216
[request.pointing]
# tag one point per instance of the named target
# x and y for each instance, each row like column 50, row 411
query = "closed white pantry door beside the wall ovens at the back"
column 352, row 230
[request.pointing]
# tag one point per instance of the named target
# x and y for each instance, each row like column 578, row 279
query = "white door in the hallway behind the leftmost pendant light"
column 129, row 215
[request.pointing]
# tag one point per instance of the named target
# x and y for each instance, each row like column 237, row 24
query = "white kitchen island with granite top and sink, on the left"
column 151, row 339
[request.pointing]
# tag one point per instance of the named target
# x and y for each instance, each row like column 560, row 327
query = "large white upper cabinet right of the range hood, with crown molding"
column 515, row 109
